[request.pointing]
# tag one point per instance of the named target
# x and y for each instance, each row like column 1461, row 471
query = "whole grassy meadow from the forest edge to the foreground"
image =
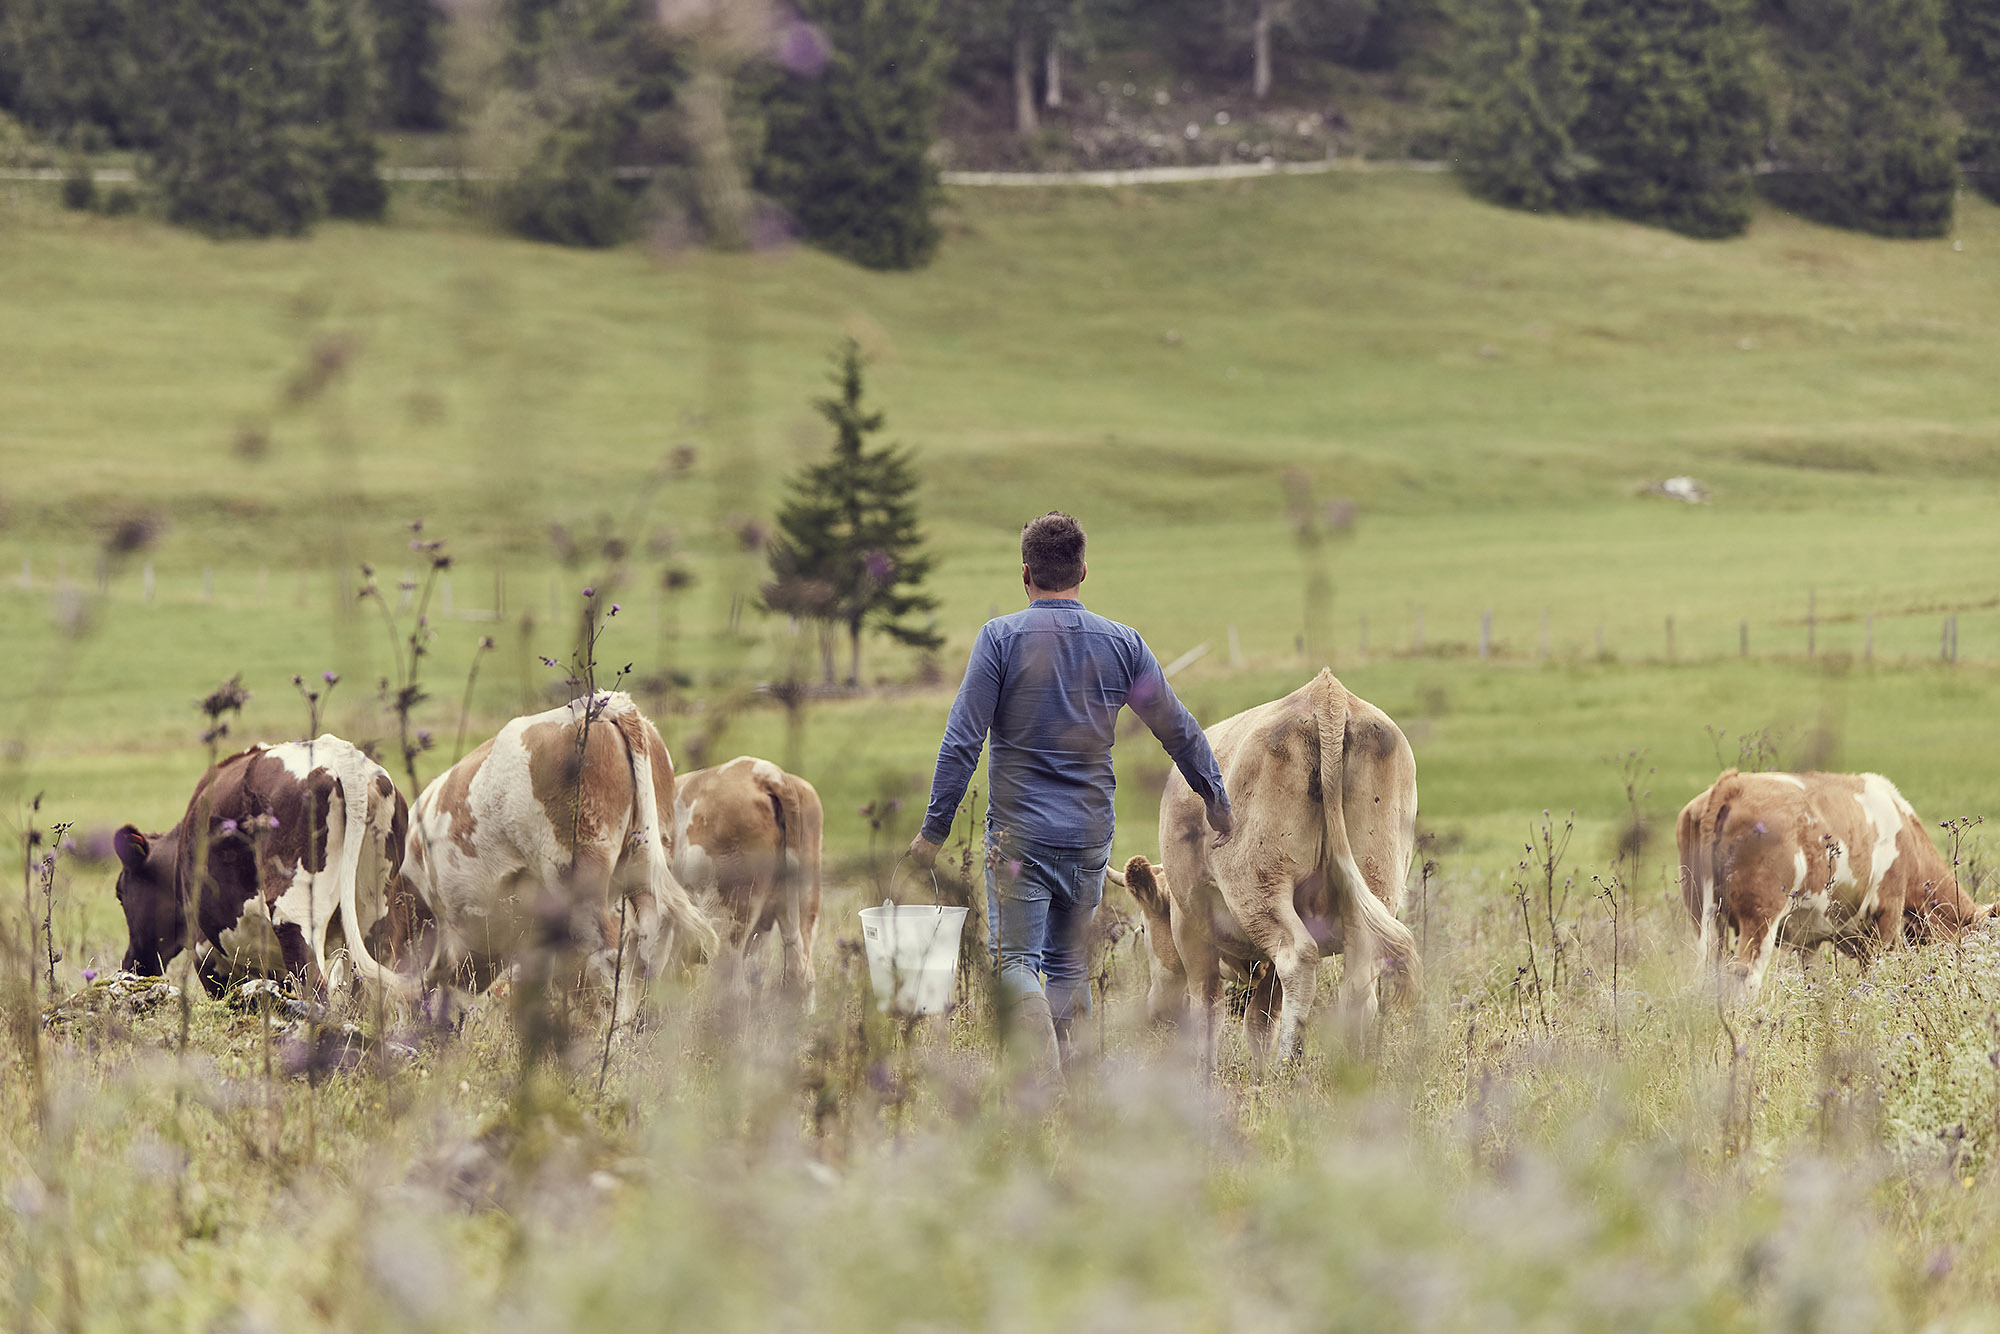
column 203, row 445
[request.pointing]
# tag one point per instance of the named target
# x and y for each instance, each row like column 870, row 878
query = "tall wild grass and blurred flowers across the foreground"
column 741, row 1167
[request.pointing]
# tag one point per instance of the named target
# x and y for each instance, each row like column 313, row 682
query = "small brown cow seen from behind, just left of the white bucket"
column 747, row 847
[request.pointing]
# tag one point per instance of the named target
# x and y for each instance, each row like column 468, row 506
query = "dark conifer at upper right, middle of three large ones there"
column 1675, row 115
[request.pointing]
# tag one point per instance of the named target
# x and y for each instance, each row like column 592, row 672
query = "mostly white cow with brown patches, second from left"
column 543, row 835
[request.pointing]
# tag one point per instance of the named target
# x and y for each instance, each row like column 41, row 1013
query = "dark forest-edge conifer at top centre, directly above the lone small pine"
column 849, row 149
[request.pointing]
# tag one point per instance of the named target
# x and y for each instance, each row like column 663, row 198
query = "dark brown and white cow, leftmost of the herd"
column 277, row 845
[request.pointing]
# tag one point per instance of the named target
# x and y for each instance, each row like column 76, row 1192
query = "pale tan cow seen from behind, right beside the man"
column 1325, row 793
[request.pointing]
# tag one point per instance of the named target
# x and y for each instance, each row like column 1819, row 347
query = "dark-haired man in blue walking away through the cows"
column 1049, row 685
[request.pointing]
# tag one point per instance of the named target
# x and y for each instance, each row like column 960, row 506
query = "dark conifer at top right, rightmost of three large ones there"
column 1863, row 135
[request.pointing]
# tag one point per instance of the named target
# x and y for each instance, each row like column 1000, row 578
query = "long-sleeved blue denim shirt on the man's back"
column 1049, row 683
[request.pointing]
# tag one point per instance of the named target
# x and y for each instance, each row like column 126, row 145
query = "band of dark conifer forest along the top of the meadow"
column 259, row 117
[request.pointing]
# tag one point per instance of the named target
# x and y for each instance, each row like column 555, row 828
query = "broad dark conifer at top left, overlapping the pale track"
column 237, row 141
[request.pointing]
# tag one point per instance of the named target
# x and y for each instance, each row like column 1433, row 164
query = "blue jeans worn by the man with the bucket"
column 1039, row 907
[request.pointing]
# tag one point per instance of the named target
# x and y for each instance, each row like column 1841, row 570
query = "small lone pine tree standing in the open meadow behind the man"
column 849, row 551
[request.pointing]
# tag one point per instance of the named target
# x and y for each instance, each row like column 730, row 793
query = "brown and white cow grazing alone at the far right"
column 1807, row 859
